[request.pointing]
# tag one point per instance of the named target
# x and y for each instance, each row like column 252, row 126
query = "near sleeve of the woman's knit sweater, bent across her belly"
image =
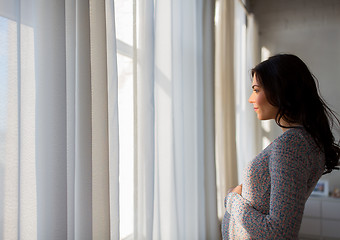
column 288, row 178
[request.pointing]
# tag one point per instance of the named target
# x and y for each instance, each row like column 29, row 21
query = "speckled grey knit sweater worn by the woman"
column 277, row 184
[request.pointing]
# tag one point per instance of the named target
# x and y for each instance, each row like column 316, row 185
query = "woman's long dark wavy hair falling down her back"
column 290, row 86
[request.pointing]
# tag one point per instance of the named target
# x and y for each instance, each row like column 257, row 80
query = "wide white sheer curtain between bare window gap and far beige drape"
column 176, row 168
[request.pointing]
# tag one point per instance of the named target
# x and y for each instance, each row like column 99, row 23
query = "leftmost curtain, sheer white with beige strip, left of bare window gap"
column 59, row 130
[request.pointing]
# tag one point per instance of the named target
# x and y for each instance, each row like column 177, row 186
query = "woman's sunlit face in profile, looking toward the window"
column 262, row 107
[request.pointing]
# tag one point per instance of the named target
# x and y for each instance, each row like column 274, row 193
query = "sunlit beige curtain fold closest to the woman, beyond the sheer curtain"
column 225, row 133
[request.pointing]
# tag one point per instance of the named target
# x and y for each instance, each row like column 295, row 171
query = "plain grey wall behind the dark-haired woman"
column 311, row 30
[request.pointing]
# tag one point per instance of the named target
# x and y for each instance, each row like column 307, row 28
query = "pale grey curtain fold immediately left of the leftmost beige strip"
column 83, row 125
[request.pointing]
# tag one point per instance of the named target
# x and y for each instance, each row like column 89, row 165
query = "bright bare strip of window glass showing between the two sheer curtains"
column 124, row 33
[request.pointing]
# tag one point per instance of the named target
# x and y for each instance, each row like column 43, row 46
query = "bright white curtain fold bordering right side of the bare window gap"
column 144, row 196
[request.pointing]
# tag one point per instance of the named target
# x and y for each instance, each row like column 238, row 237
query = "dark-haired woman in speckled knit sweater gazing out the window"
column 277, row 183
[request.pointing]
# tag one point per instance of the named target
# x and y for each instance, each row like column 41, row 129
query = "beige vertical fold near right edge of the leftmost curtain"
column 100, row 118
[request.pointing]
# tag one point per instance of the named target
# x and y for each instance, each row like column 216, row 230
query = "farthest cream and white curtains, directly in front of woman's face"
column 237, row 51
